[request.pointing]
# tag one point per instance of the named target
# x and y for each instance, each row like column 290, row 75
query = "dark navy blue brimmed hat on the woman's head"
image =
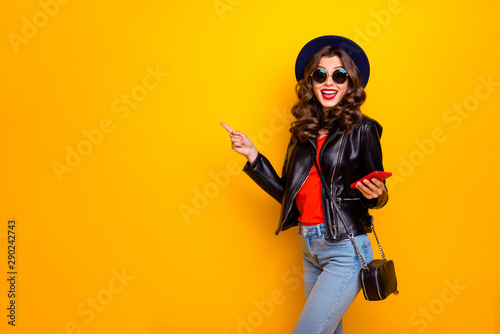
column 352, row 49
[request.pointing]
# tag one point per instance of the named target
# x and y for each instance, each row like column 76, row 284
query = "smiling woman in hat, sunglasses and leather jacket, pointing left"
column 330, row 132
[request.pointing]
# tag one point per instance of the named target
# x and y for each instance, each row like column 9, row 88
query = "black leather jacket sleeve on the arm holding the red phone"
column 373, row 161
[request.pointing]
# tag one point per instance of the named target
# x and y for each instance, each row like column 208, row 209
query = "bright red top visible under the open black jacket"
column 308, row 198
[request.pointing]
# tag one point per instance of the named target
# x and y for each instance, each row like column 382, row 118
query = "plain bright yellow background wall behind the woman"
column 160, row 200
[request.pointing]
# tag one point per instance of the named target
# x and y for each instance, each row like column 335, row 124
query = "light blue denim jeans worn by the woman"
column 331, row 278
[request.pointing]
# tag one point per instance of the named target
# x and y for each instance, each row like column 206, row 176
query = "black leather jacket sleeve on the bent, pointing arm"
column 263, row 173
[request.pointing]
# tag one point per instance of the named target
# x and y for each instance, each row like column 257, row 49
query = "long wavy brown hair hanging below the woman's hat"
column 308, row 111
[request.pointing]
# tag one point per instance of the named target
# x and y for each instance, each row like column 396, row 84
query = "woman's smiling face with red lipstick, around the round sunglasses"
column 330, row 93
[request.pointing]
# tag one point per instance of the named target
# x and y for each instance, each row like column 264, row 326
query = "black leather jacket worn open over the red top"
column 343, row 160
